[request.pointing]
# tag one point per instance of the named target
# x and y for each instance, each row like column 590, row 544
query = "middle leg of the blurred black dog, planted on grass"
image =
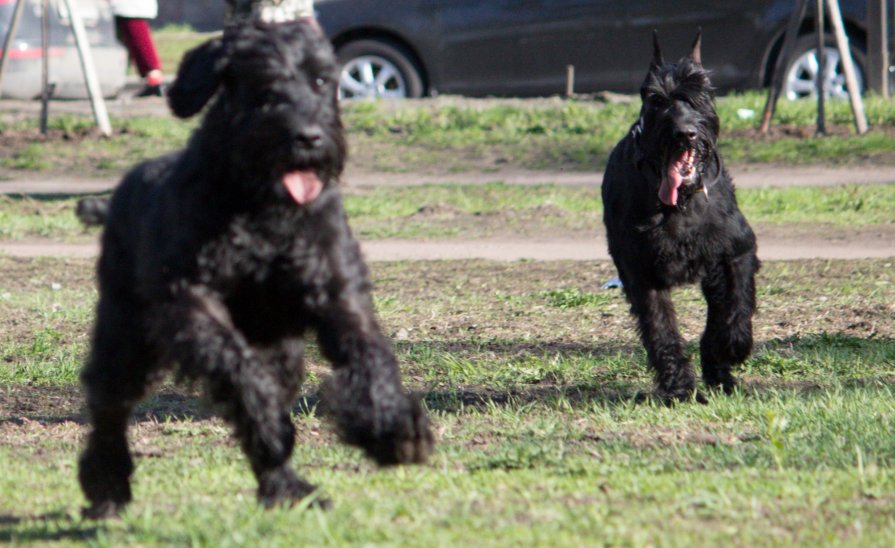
column 201, row 338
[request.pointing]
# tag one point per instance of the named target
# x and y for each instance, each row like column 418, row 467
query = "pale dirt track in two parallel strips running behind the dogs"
column 773, row 245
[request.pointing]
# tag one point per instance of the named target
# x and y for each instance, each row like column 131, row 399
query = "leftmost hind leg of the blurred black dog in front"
column 117, row 374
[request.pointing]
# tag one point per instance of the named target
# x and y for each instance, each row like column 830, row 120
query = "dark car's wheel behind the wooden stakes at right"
column 800, row 74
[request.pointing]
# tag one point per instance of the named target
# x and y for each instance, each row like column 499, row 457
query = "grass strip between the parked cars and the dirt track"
column 453, row 135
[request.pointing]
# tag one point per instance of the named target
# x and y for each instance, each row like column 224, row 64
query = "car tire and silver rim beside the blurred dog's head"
column 378, row 69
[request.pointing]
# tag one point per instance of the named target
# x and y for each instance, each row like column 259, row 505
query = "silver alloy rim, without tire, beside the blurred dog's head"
column 371, row 76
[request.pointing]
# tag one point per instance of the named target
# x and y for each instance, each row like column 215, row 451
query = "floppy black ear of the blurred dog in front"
column 198, row 78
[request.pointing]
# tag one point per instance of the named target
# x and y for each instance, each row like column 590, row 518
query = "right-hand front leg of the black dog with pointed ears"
column 729, row 290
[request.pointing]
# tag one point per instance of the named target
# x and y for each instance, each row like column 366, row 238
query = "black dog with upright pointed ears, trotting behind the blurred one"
column 672, row 218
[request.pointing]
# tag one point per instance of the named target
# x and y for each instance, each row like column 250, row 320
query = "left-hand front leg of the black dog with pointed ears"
column 665, row 349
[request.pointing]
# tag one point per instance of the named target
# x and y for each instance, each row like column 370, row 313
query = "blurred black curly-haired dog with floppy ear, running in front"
column 211, row 263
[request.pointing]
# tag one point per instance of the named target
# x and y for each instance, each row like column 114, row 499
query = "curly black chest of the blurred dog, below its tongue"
column 273, row 267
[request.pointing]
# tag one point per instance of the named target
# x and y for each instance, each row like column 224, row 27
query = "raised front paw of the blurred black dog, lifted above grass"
column 411, row 443
